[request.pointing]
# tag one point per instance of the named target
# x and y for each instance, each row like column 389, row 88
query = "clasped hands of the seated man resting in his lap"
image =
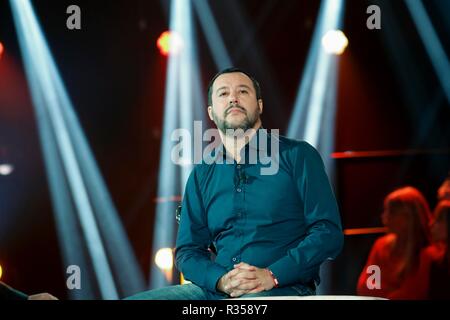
column 245, row 279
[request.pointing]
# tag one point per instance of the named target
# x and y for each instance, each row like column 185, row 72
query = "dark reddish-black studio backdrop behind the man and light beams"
column 388, row 99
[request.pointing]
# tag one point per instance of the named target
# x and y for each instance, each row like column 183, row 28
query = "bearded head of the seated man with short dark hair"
column 234, row 103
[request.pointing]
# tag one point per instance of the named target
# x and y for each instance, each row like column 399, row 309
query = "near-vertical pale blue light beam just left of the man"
column 184, row 103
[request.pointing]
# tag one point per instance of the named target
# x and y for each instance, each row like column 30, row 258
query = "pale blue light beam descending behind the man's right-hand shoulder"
column 313, row 118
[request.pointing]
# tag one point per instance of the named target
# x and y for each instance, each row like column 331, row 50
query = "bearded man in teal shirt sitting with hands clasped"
column 271, row 232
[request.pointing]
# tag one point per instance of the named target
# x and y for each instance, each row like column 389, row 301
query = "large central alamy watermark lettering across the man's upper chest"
column 263, row 148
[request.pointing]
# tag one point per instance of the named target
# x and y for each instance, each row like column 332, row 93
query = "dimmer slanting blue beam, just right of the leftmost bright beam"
column 124, row 264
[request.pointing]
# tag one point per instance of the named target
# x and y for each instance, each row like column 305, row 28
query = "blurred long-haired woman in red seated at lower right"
column 401, row 254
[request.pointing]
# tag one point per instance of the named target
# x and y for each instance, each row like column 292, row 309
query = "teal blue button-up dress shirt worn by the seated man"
column 287, row 222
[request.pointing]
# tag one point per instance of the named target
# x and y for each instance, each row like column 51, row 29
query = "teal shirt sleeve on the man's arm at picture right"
column 324, row 237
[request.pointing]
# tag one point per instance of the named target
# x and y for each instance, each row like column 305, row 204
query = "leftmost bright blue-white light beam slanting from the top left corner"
column 38, row 60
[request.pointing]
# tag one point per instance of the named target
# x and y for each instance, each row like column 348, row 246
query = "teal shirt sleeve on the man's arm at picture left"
column 191, row 254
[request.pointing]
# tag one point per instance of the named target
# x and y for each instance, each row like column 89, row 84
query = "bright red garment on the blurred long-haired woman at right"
column 413, row 286
